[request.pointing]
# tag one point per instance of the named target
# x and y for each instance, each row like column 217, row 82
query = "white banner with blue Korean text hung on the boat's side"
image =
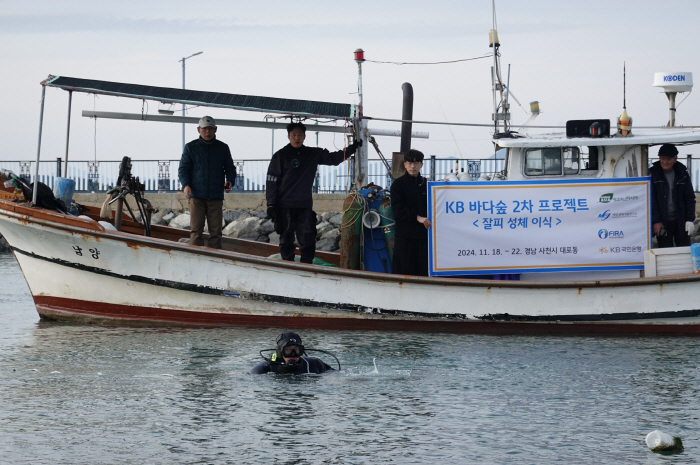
column 498, row 227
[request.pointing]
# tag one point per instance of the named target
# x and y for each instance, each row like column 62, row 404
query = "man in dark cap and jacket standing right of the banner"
column 673, row 200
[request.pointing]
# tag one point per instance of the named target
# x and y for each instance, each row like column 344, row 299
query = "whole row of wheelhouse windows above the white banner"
column 560, row 161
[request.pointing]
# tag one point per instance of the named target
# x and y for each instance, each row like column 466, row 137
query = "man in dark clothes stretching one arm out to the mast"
column 290, row 179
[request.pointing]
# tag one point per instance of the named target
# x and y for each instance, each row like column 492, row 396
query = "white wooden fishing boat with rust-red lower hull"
column 78, row 268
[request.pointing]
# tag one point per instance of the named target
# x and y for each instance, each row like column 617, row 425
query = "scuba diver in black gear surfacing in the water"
column 290, row 358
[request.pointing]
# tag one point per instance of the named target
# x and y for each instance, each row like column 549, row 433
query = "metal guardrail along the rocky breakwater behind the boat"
column 161, row 175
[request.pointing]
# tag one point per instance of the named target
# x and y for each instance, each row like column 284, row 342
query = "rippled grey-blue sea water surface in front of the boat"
column 93, row 394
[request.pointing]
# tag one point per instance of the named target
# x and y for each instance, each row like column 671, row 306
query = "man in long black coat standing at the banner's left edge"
column 409, row 203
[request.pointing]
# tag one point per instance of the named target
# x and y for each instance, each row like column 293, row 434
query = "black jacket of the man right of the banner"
column 683, row 195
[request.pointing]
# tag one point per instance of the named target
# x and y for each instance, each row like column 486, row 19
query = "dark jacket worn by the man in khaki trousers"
column 205, row 166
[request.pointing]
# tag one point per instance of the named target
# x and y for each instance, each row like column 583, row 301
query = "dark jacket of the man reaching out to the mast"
column 291, row 174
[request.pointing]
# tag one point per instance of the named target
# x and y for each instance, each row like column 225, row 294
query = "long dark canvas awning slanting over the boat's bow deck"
column 205, row 99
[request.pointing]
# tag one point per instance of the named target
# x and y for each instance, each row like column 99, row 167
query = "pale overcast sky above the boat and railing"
column 568, row 55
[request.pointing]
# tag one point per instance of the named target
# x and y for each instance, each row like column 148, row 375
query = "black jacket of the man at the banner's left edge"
column 409, row 199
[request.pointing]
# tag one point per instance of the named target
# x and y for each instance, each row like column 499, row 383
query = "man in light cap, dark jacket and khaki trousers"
column 206, row 172
